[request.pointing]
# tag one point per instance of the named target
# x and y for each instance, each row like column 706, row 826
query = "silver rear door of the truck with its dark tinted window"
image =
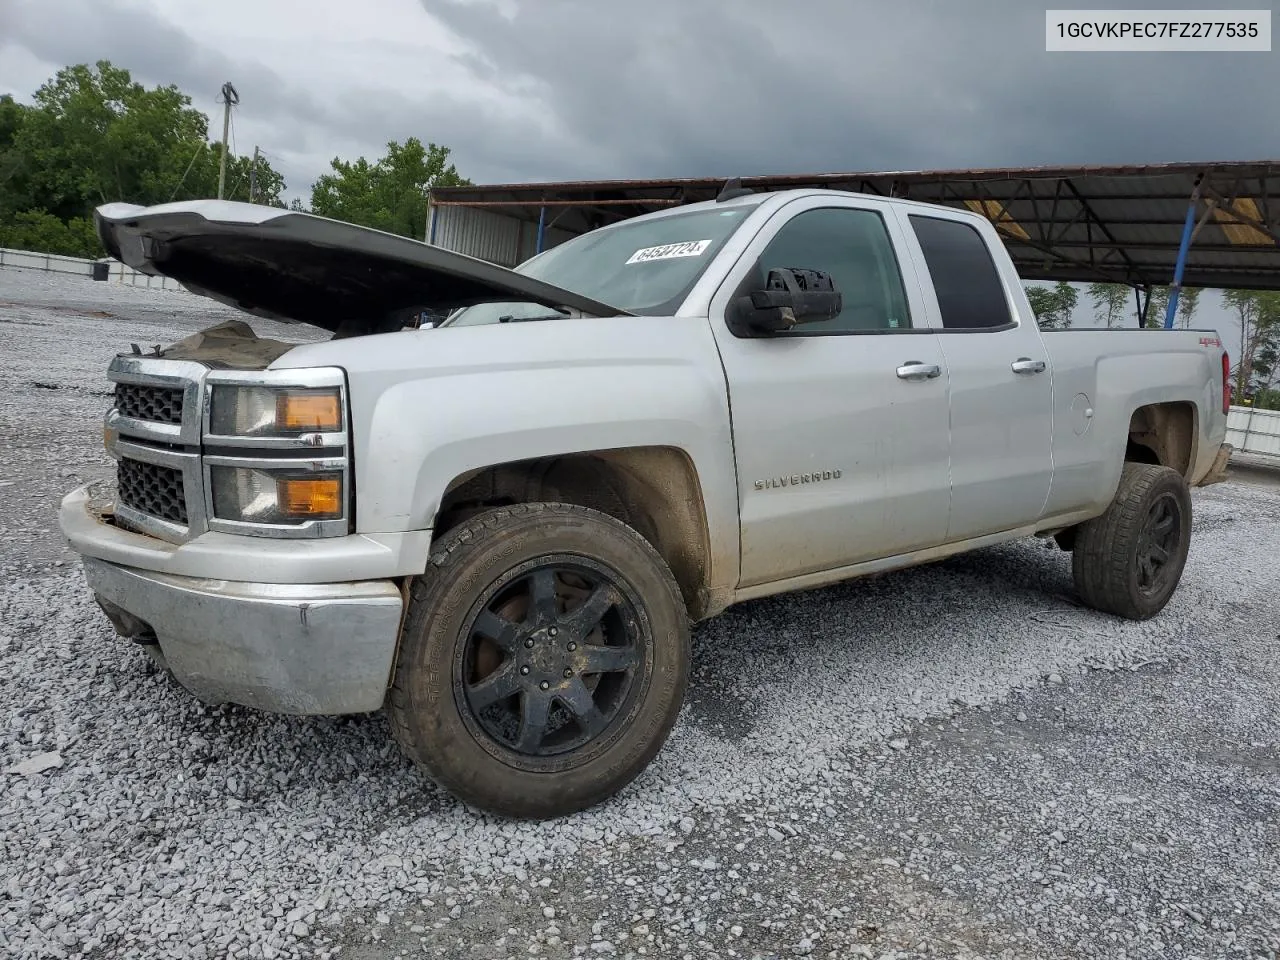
column 1002, row 386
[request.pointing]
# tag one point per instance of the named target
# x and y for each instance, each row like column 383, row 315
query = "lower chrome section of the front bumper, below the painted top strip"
column 285, row 648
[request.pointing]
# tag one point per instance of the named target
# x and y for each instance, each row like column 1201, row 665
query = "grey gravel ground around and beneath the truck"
column 956, row 761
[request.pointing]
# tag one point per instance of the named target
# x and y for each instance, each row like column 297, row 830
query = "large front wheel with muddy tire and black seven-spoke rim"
column 543, row 661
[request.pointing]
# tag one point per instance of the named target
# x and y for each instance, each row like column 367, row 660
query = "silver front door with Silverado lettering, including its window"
column 840, row 427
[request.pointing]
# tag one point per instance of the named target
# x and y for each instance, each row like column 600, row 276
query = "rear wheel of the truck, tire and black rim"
column 1130, row 560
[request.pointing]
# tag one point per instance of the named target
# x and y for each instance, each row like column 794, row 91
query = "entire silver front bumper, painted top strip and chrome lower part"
column 273, row 638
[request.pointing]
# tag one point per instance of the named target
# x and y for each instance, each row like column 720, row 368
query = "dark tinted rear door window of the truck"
column 971, row 295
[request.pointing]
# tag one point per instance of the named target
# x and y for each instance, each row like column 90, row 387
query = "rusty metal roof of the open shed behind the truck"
column 1117, row 225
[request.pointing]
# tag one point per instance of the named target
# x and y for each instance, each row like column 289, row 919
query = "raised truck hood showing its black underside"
column 300, row 268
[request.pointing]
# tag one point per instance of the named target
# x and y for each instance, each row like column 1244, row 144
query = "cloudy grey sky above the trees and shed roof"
column 533, row 90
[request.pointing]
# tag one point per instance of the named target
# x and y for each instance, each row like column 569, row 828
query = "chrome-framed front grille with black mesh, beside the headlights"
column 153, row 431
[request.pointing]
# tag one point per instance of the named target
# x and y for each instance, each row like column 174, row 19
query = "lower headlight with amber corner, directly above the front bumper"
column 278, row 497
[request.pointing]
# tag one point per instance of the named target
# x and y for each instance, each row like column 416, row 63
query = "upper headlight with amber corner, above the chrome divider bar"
column 275, row 412
